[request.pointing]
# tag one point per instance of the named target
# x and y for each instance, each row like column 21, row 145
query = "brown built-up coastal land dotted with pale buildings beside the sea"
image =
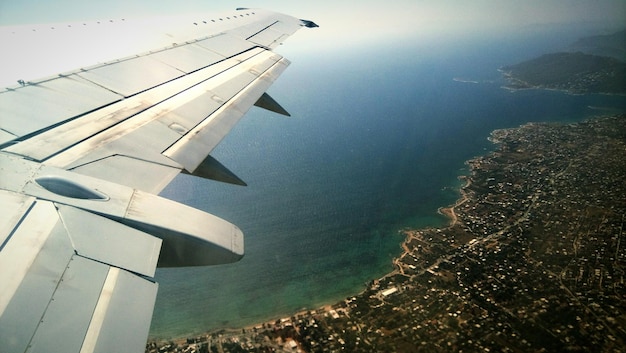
column 532, row 261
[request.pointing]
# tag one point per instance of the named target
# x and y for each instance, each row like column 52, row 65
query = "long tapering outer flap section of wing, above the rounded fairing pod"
column 173, row 126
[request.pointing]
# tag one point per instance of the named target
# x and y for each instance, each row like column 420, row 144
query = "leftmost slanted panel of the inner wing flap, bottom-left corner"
column 37, row 254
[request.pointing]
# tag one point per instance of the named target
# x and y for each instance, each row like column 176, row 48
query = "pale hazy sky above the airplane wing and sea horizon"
column 342, row 16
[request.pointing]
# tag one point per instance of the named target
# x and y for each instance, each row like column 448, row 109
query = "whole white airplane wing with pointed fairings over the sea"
column 84, row 153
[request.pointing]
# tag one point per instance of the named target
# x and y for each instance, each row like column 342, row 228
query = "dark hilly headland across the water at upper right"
column 576, row 72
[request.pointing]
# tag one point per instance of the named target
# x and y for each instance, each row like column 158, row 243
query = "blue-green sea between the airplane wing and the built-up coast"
column 378, row 137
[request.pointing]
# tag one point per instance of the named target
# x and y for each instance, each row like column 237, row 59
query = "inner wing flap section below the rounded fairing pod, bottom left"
column 60, row 258
